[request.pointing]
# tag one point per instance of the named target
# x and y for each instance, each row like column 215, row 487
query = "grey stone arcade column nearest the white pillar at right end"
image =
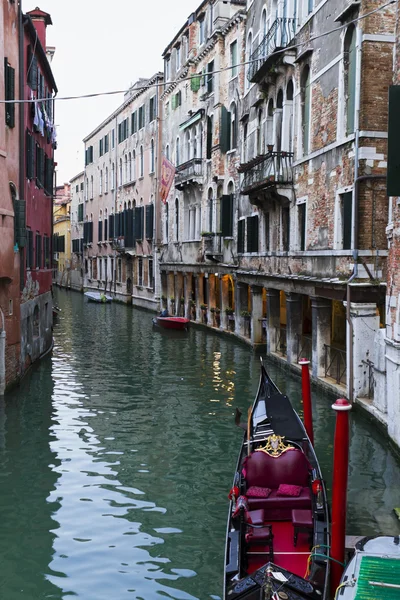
column 321, row 333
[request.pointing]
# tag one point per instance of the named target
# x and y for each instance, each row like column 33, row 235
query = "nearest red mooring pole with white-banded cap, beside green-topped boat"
column 339, row 490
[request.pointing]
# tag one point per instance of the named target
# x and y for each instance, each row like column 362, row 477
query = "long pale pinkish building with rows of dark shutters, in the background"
column 121, row 187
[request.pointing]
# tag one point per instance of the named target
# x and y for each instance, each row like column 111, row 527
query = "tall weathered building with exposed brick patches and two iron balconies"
column 314, row 121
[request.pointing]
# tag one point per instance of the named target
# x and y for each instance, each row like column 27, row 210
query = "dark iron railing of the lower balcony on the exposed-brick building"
column 270, row 170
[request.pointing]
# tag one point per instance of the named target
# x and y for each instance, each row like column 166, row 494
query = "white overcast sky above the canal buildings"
column 102, row 46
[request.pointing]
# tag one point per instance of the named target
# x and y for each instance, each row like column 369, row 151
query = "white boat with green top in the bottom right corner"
column 374, row 571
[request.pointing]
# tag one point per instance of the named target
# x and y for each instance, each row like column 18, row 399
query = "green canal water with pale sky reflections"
column 117, row 454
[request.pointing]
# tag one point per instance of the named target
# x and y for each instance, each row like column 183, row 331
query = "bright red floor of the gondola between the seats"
column 286, row 555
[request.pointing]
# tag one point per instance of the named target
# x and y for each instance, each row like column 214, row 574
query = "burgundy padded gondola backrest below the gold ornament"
column 291, row 467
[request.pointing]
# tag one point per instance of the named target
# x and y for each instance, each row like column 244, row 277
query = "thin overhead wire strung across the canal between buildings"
column 208, row 74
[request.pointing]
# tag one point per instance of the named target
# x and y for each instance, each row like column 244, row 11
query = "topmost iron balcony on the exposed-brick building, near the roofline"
column 279, row 36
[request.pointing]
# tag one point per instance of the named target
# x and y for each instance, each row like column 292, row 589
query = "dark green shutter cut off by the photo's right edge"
column 393, row 168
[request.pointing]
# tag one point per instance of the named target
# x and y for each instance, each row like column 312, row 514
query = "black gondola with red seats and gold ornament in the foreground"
column 277, row 540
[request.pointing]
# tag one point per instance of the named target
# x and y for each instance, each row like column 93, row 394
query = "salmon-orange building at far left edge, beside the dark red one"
column 12, row 211
